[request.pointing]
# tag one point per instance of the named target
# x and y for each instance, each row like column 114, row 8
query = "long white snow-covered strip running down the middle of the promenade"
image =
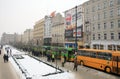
column 28, row 67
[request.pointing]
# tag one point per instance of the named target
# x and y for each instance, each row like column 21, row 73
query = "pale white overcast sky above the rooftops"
column 19, row 15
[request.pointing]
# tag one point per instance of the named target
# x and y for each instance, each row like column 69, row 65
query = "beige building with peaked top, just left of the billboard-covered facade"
column 57, row 30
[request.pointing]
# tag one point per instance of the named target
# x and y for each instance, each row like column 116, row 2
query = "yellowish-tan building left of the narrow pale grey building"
column 38, row 33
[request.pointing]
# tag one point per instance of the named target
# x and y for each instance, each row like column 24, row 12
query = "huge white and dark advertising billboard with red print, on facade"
column 70, row 23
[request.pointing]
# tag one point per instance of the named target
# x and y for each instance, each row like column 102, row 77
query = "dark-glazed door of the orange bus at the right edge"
column 116, row 64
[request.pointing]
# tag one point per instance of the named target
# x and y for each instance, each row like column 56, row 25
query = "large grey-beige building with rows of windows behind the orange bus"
column 102, row 24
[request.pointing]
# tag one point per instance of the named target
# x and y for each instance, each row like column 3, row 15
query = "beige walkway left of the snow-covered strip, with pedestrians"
column 6, row 69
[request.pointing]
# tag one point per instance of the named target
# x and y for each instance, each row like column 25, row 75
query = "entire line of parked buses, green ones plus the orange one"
column 105, row 60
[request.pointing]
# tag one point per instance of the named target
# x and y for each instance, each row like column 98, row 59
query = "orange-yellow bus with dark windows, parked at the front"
column 105, row 60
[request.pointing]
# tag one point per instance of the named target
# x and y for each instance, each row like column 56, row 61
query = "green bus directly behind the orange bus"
column 68, row 53
